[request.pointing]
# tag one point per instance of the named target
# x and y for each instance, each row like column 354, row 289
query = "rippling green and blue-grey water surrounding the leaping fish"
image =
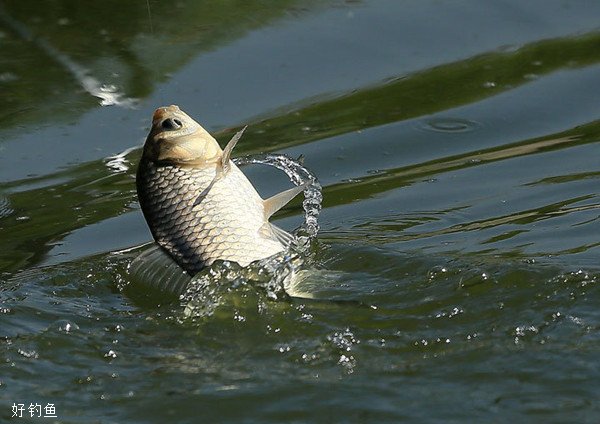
column 455, row 276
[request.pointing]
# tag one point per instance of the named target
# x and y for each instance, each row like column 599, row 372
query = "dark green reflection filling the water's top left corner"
column 130, row 45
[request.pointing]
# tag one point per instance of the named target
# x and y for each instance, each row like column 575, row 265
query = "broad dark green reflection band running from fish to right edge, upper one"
column 441, row 88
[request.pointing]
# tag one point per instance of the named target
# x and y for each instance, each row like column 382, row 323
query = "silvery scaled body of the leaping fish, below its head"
column 225, row 225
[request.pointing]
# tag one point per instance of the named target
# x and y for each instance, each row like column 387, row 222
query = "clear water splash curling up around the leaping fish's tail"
column 275, row 277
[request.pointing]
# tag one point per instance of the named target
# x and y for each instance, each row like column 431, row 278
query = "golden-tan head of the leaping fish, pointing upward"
column 176, row 138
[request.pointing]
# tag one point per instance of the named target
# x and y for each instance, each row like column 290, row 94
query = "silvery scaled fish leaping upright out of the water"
column 200, row 207
